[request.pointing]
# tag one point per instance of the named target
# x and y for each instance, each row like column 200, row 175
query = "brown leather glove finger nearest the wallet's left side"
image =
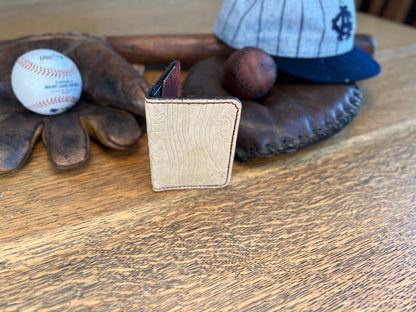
column 112, row 127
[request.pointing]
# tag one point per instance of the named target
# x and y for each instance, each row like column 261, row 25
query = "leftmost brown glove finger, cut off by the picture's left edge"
column 18, row 134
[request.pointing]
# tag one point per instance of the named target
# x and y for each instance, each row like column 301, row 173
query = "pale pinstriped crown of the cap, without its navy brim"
column 289, row 28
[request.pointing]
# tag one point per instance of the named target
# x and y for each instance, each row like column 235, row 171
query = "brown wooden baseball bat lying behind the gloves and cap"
column 188, row 48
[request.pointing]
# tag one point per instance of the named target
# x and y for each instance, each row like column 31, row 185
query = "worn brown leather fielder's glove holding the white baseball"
column 112, row 92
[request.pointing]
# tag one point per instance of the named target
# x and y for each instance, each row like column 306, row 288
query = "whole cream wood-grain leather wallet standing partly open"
column 191, row 140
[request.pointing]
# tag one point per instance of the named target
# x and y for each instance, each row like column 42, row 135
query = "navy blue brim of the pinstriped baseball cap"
column 345, row 68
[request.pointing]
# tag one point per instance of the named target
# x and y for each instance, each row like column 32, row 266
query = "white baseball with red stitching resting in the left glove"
column 46, row 82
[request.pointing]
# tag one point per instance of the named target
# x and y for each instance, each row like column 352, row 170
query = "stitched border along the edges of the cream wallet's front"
column 187, row 102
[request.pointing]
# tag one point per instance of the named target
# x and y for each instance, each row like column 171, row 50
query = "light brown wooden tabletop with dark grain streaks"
column 330, row 228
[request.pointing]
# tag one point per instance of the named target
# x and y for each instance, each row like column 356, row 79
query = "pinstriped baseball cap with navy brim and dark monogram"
column 309, row 39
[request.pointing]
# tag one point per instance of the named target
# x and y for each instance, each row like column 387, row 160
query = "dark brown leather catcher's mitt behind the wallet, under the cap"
column 295, row 114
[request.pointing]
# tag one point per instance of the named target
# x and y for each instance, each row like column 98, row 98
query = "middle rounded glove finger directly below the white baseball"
column 66, row 141
